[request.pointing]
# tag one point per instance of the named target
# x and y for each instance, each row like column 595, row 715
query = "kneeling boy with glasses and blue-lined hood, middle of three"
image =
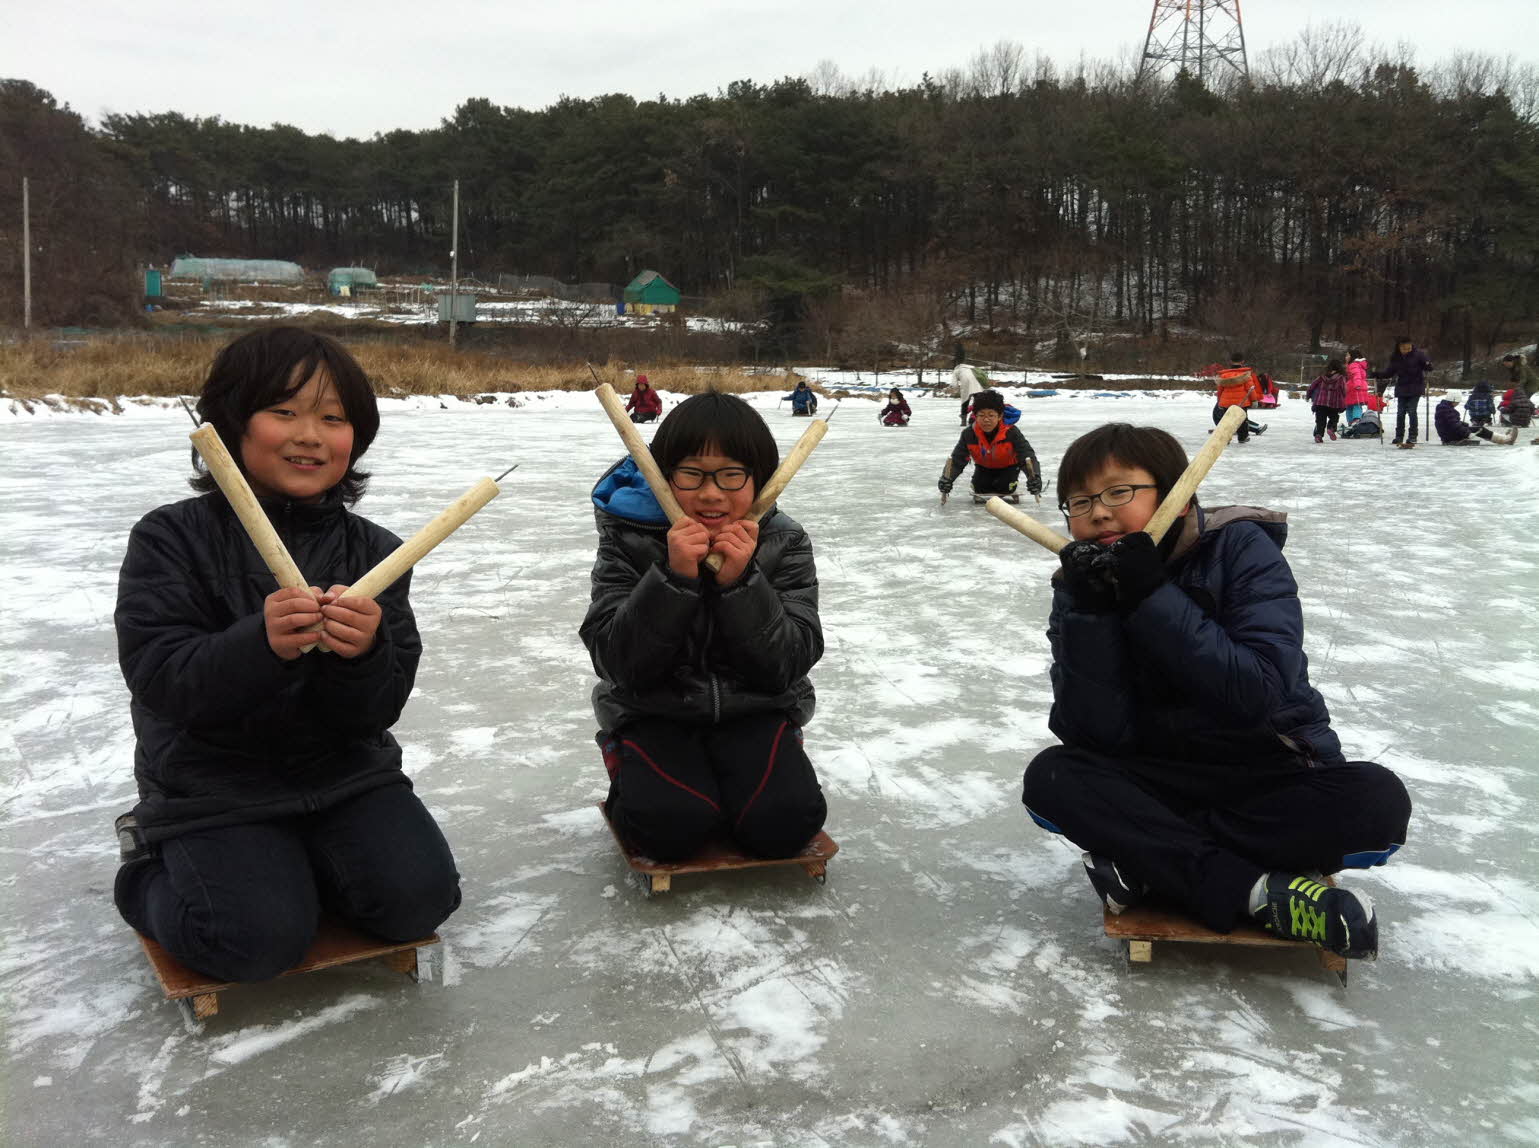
column 704, row 687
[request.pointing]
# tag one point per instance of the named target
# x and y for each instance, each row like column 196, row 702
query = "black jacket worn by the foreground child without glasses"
column 227, row 732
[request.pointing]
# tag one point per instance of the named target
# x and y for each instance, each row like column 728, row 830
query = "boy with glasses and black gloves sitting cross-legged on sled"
column 1198, row 764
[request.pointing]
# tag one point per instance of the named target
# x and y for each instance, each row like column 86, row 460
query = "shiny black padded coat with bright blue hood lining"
column 681, row 649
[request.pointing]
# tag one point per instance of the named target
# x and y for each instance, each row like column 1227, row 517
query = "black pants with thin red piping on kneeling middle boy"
column 675, row 787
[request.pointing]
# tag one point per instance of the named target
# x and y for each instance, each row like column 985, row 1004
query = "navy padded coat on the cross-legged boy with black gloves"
column 1207, row 673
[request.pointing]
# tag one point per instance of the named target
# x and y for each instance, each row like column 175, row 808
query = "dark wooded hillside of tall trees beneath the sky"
column 1343, row 193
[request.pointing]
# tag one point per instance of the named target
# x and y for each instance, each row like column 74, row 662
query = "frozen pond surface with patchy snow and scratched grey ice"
column 950, row 986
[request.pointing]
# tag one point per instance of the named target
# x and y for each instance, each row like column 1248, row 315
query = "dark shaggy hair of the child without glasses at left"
column 270, row 365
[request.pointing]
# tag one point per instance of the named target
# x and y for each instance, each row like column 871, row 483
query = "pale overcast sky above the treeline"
column 359, row 68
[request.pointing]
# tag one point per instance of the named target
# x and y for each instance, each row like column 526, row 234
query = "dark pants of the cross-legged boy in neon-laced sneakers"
column 1207, row 856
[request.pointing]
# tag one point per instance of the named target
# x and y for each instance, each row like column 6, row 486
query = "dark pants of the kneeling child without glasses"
column 242, row 903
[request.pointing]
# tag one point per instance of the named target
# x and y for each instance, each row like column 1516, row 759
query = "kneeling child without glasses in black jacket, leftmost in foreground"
column 270, row 786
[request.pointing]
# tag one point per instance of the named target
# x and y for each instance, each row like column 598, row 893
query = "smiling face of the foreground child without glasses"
column 299, row 449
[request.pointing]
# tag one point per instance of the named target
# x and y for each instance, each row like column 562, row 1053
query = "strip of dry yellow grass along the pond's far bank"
column 158, row 365
